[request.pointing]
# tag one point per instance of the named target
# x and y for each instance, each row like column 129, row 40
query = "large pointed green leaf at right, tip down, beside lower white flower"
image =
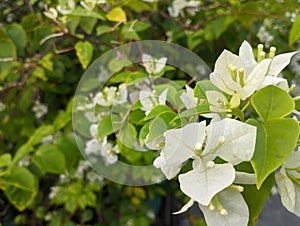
column 275, row 141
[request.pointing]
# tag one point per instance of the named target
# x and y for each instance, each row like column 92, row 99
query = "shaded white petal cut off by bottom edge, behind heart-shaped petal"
column 234, row 204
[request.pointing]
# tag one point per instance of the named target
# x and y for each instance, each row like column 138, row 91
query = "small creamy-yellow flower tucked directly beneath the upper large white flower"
column 219, row 103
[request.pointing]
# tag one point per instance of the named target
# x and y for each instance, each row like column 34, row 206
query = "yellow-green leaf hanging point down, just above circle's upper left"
column 84, row 52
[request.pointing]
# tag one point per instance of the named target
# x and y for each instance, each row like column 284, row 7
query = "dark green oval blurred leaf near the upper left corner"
column 17, row 34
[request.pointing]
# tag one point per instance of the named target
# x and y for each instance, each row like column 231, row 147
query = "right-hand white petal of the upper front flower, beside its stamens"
column 255, row 79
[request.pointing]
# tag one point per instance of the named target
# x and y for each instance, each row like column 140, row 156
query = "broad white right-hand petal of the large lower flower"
column 240, row 139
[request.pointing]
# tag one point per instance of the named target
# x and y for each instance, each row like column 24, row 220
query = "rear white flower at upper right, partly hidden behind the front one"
column 278, row 63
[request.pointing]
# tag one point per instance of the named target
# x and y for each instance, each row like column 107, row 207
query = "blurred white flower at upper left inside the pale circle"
column 112, row 95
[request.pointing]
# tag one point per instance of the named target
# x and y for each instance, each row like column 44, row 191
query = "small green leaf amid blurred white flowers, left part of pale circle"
column 108, row 125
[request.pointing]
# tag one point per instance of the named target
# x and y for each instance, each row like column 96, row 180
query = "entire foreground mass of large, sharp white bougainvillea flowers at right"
column 213, row 185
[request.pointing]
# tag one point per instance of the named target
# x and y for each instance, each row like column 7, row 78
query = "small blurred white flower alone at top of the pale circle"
column 153, row 66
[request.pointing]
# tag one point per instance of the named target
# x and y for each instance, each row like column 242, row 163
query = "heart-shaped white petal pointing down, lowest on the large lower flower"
column 202, row 184
